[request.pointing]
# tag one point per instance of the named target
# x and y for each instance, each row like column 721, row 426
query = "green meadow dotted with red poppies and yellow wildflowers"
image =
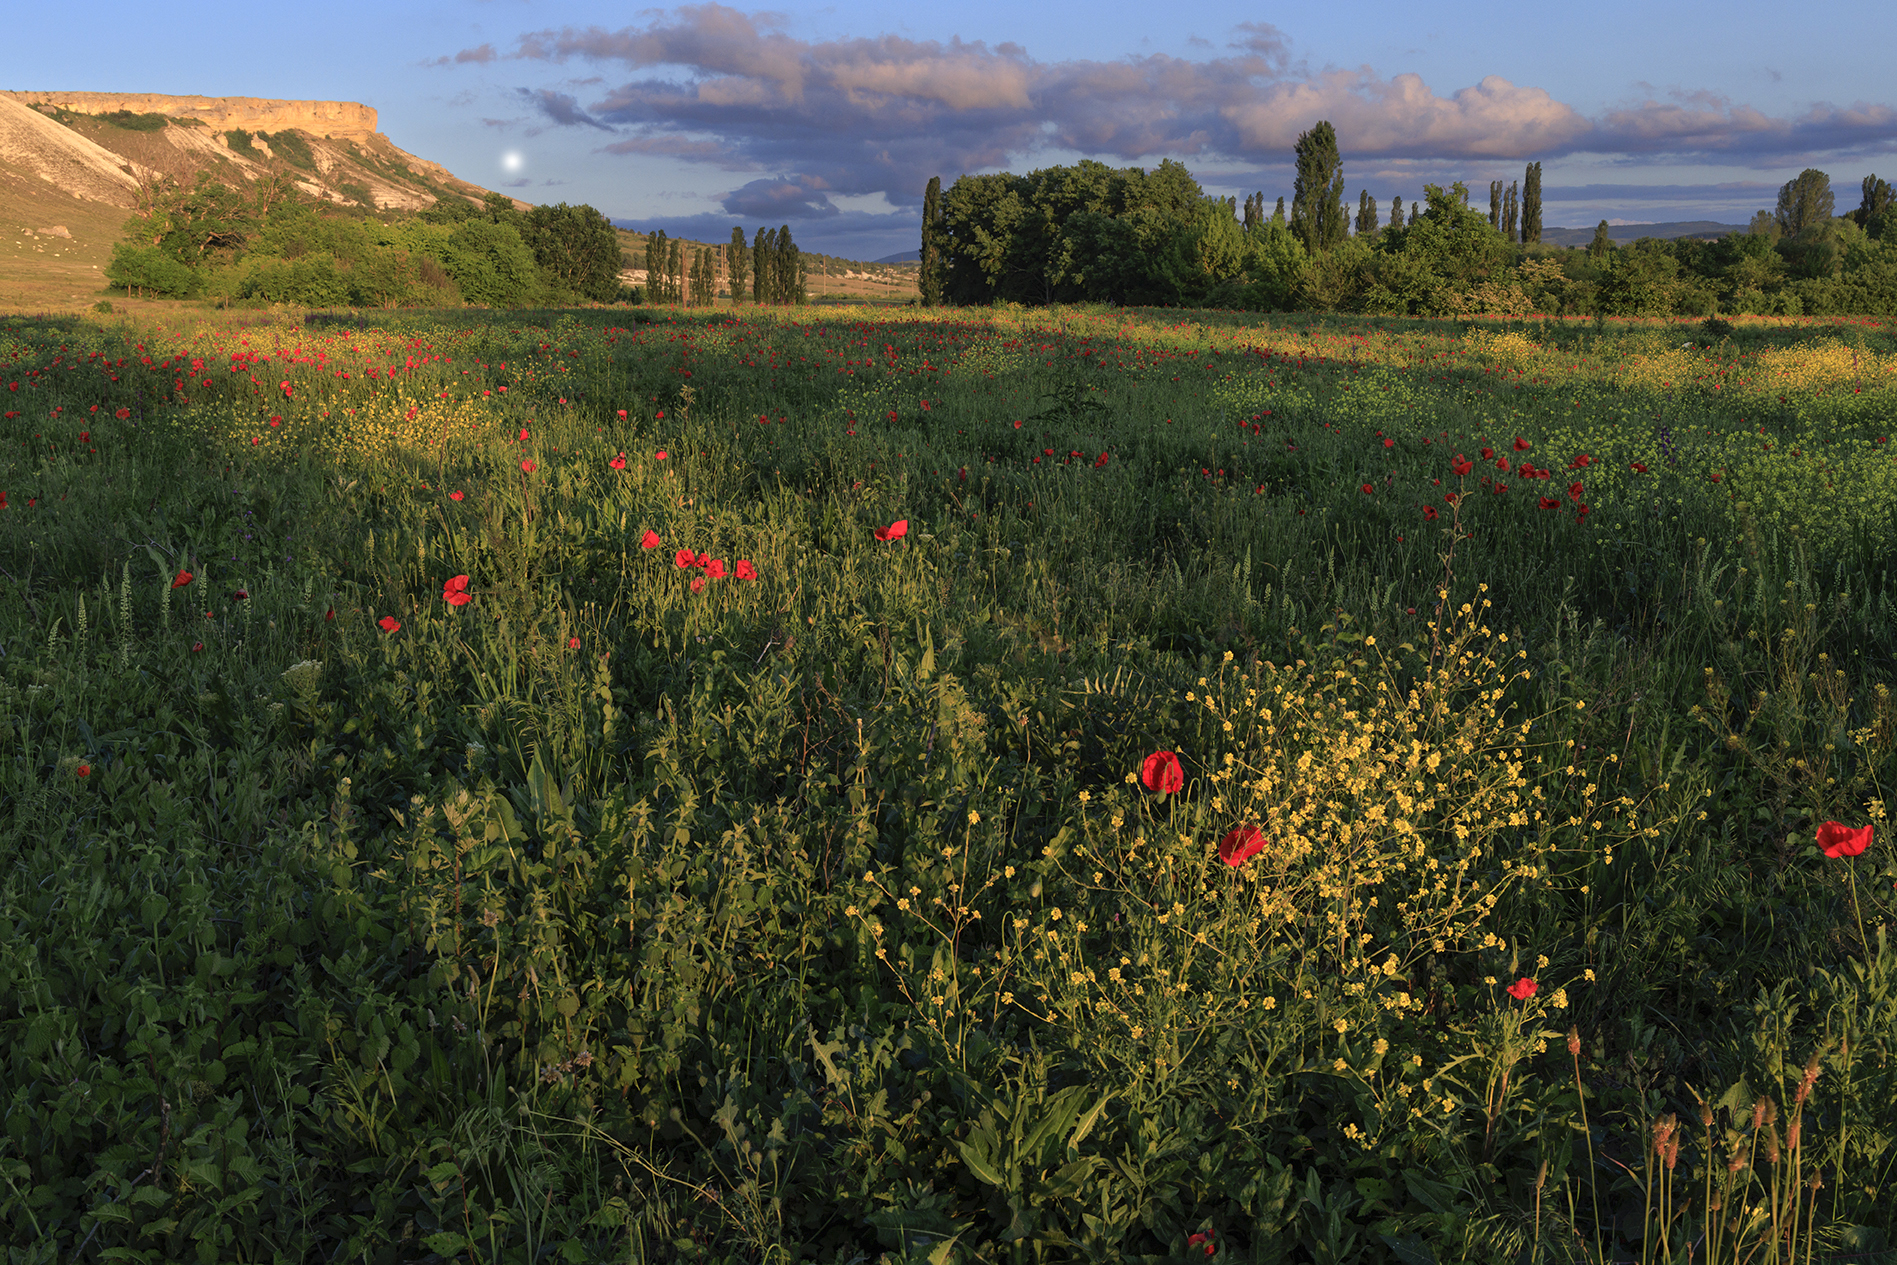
column 946, row 786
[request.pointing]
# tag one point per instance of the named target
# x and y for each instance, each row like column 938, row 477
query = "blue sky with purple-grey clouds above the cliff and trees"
column 832, row 119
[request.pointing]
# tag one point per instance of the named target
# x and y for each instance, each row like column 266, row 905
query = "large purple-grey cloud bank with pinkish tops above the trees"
column 712, row 84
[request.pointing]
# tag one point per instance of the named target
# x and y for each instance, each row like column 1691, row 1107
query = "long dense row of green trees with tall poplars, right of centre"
column 1090, row 232
